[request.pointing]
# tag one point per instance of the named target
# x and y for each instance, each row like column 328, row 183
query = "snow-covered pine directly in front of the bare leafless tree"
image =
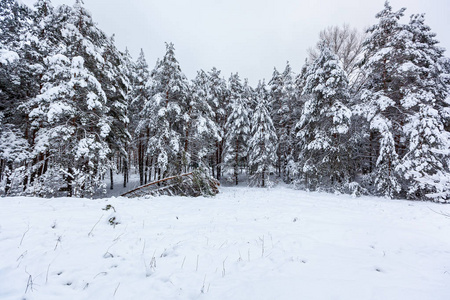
column 324, row 124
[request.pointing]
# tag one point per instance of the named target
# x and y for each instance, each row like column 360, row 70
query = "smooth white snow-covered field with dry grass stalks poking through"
column 243, row 244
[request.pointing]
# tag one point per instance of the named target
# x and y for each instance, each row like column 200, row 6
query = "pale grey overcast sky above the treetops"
column 246, row 36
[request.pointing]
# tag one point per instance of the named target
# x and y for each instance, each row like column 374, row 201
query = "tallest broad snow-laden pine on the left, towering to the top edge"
column 70, row 121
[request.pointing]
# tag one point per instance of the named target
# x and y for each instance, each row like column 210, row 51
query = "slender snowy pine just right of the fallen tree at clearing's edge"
column 237, row 128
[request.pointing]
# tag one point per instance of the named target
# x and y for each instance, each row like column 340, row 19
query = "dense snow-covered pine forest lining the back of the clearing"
column 367, row 114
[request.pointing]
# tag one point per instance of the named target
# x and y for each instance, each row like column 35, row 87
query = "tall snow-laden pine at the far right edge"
column 425, row 165
